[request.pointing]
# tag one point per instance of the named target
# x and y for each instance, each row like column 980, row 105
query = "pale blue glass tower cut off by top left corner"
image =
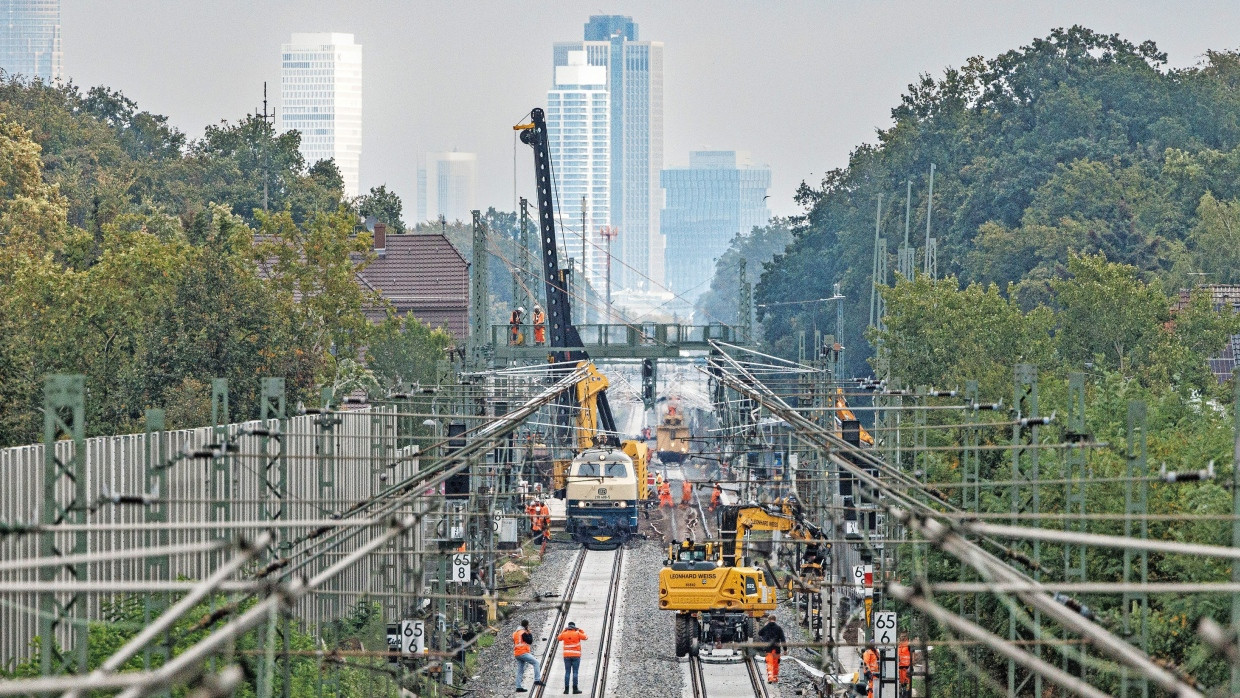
column 30, row 39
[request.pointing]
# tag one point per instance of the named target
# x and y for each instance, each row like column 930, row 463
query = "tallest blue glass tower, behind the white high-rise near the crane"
column 634, row 73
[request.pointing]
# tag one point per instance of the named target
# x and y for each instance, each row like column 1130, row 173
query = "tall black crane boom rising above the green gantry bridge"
column 561, row 332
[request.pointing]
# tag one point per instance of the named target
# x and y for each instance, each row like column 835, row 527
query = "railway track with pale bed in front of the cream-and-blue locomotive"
column 591, row 602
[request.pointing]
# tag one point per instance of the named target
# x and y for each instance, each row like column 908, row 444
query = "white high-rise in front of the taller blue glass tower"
column 580, row 139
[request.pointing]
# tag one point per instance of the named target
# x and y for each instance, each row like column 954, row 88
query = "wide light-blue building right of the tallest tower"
column 706, row 205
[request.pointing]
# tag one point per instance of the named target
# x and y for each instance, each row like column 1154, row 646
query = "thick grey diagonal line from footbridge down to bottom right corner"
column 967, row 551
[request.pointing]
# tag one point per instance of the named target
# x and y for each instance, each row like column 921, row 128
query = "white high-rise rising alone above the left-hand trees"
column 322, row 96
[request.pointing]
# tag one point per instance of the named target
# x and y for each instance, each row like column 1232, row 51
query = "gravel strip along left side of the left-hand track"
column 495, row 664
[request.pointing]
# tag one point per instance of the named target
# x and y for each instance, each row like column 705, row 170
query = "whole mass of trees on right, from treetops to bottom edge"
column 1081, row 185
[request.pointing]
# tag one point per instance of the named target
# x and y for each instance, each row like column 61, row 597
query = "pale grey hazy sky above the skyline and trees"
column 798, row 85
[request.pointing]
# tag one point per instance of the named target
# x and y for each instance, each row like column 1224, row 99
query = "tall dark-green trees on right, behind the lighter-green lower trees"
column 1079, row 142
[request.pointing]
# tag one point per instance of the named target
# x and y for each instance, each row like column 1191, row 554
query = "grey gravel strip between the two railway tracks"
column 647, row 656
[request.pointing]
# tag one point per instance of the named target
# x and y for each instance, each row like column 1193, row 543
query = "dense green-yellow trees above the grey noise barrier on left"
column 152, row 262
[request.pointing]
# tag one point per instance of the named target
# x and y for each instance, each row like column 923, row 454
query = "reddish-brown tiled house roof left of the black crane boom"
column 425, row 275
